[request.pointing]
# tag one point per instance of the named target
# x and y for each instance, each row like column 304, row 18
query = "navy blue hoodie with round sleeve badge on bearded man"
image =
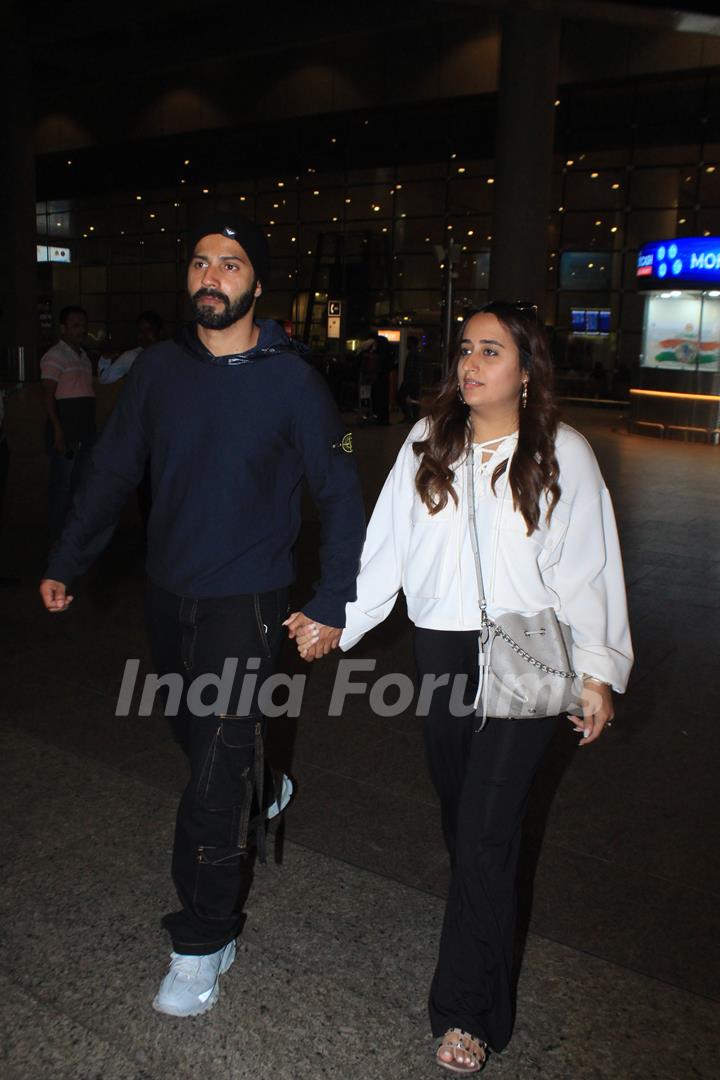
column 230, row 440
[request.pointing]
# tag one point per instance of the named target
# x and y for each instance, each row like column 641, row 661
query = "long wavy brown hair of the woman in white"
column 534, row 468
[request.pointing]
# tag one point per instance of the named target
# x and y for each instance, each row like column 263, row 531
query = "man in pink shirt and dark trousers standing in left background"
column 70, row 400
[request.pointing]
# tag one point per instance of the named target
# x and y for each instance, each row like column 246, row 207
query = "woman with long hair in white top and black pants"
column 492, row 477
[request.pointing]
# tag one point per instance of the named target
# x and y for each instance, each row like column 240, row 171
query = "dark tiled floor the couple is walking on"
column 620, row 876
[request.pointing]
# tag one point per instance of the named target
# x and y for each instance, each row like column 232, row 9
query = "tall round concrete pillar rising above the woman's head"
column 524, row 156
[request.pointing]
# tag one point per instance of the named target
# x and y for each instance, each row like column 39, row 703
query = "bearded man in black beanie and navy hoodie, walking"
column 233, row 420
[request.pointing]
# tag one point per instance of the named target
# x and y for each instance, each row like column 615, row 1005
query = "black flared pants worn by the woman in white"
column 483, row 780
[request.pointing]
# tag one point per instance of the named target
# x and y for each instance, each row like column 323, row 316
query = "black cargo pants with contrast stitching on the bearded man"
column 195, row 639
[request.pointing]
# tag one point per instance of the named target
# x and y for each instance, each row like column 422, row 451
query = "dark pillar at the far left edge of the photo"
column 19, row 273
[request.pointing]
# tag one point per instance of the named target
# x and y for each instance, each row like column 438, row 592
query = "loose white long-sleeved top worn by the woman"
column 573, row 565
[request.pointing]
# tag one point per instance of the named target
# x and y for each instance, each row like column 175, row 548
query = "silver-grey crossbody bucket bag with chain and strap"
column 525, row 660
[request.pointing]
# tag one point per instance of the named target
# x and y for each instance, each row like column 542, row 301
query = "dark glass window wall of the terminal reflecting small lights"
column 626, row 173
